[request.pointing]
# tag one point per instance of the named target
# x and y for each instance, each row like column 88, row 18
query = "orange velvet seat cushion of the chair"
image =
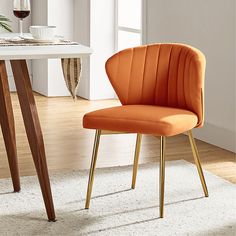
column 144, row 119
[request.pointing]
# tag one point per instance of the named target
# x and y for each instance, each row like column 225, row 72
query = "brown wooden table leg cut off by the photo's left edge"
column 8, row 126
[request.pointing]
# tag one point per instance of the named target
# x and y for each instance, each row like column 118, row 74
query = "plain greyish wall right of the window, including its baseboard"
column 210, row 26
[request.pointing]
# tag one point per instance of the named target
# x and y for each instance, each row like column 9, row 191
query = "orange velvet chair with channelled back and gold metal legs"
column 161, row 88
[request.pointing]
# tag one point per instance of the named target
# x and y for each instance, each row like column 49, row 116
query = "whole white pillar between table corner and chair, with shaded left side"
column 94, row 27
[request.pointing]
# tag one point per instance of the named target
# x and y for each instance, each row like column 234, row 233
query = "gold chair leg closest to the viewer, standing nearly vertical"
column 162, row 175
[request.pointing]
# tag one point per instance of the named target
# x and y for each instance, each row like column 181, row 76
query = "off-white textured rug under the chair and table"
column 117, row 210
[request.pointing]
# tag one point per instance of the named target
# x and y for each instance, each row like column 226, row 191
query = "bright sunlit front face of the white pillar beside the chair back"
column 102, row 39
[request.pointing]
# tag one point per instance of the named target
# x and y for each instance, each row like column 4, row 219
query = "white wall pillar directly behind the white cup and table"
column 48, row 77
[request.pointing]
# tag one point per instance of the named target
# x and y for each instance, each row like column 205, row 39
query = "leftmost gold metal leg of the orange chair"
column 92, row 168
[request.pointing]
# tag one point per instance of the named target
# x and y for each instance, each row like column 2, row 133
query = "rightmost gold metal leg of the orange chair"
column 197, row 162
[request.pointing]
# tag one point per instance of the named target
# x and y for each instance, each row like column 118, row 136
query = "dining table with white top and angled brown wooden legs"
column 18, row 54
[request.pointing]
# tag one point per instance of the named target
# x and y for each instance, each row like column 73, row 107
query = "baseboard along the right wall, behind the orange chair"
column 217, row 136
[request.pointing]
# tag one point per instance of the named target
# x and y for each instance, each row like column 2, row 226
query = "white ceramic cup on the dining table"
column 43, row 32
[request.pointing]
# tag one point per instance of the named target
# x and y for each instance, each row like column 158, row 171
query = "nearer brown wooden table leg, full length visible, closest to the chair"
column 33, row 130
